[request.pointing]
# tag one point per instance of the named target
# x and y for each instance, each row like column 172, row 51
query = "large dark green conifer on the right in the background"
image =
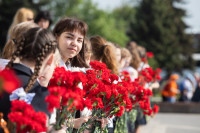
column 159, row 28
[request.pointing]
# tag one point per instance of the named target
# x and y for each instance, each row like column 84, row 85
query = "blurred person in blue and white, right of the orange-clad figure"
column 187, row 88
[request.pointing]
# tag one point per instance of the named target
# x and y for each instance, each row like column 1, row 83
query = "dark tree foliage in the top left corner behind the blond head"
column 8, row 9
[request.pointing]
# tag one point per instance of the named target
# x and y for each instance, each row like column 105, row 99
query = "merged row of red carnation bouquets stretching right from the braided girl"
column 97, row 90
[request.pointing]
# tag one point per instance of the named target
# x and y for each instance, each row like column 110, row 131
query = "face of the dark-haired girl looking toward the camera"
column 70, row 44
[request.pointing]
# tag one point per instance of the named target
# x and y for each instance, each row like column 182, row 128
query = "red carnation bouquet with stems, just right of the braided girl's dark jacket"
column 66, row 96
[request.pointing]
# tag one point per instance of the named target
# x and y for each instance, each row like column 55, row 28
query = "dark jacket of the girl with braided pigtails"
column 38, row 102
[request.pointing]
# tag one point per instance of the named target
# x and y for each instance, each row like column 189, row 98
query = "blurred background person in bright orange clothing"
column 170, row 90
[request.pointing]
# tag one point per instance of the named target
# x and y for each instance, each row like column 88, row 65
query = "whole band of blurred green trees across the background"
column 155, row 24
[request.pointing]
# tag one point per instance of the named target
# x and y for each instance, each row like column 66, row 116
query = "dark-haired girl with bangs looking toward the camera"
column 70, row 34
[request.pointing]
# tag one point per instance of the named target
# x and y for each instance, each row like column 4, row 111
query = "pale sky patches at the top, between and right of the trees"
column 192, row 7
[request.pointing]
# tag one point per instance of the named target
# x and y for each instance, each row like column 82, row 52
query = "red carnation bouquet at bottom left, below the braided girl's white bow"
column 25, row 119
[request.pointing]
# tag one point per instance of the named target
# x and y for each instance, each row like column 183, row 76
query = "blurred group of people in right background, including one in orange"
column 186, row 90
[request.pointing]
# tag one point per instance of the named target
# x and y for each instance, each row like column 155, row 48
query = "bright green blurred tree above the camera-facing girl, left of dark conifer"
column 99, row 22
